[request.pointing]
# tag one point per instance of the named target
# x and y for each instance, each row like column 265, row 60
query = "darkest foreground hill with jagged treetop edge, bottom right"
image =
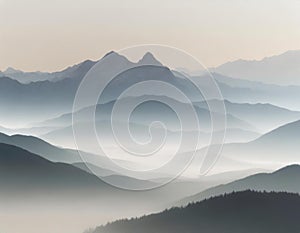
column 242, row 212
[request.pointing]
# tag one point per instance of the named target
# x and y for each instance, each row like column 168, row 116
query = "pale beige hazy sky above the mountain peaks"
column 49, row 35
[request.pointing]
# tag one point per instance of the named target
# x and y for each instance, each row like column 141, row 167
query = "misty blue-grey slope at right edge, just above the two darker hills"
column 272, row 150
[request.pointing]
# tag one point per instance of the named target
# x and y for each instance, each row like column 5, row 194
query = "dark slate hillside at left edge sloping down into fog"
column 22, row 170
